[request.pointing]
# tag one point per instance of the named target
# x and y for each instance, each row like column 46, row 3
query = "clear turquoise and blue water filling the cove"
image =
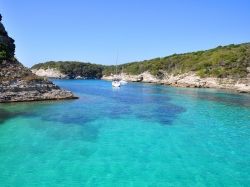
column 137, row 135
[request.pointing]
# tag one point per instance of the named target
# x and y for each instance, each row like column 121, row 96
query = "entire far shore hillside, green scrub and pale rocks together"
column 224, row 67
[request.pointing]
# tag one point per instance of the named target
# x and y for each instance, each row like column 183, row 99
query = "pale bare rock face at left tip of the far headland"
column 50, row 73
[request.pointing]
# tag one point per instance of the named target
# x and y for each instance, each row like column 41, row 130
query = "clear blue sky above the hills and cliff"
column 93, row 31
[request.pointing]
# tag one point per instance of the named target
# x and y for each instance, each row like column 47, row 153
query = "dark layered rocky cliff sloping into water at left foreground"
column 18, row 83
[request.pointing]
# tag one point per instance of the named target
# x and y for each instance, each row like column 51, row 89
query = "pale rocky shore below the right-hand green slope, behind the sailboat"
column 190, row 80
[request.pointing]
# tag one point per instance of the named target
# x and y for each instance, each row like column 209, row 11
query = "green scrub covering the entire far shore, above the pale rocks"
column 222, row 61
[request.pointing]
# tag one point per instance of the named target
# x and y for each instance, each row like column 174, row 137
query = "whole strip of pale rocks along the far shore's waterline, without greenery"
column 188, row 80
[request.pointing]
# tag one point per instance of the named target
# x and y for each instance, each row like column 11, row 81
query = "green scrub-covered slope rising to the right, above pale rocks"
column 223, row 61
